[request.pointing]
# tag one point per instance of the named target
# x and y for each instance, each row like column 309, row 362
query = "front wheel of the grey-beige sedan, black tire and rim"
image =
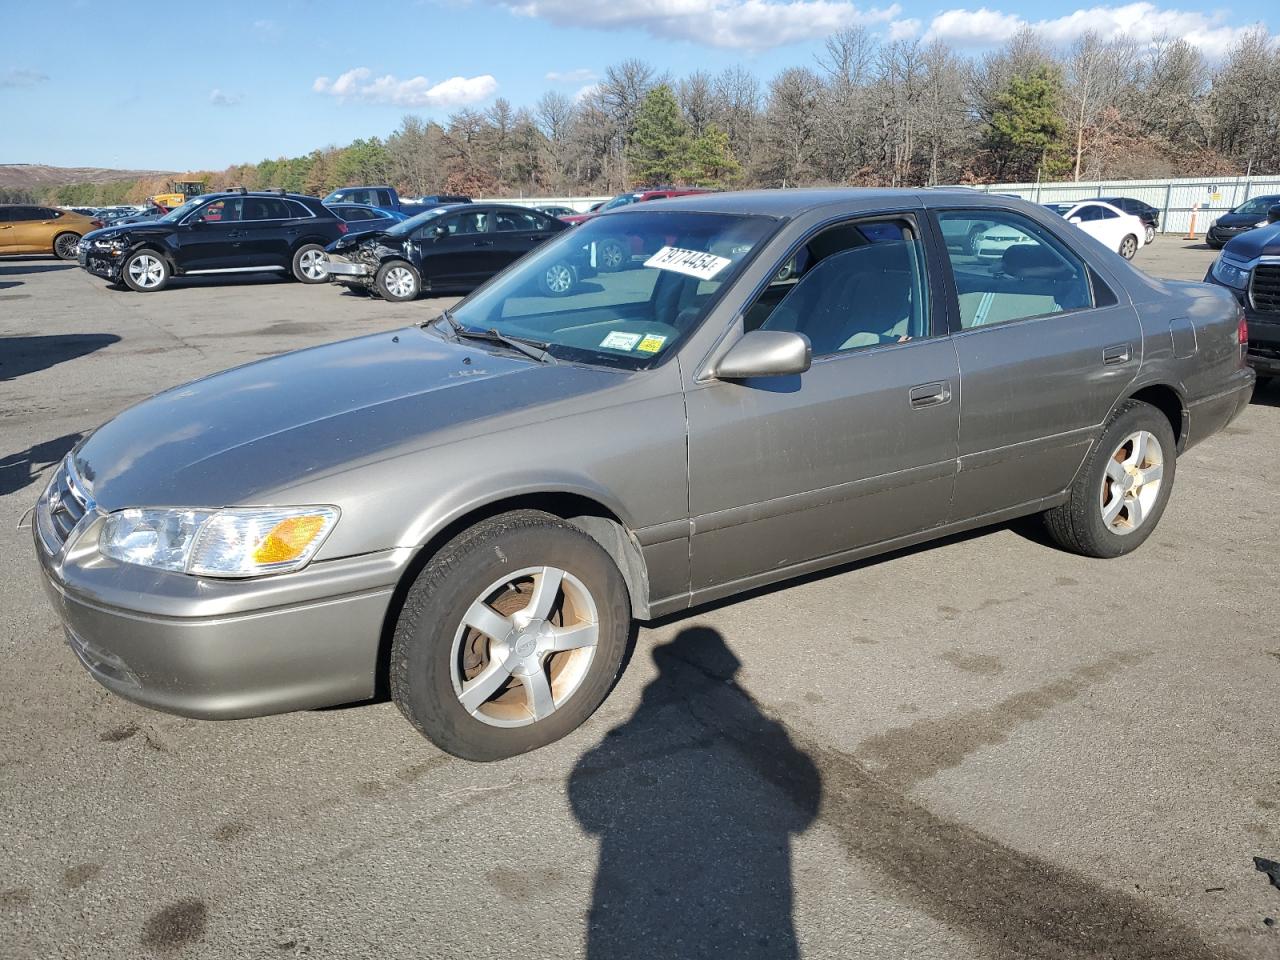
column 437, row 659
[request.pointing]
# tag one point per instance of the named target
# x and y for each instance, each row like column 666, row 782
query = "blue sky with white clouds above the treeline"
column 185, row 86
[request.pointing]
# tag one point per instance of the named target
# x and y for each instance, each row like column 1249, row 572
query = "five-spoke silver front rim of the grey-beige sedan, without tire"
column 524, row 647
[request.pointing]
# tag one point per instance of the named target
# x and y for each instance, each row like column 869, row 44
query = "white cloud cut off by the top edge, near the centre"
column 738, row 25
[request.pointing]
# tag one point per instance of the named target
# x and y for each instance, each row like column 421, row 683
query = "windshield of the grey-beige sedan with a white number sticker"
column 621, row 291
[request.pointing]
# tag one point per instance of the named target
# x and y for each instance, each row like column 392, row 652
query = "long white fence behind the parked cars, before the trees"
column 1176, row 199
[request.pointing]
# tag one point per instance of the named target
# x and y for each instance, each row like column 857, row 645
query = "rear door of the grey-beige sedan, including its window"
column 1046, row 349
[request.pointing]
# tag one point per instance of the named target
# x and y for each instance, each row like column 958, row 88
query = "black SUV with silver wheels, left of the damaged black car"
column 217, row 234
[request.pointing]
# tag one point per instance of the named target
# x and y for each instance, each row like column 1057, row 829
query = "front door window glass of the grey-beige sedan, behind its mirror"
column 858, row 285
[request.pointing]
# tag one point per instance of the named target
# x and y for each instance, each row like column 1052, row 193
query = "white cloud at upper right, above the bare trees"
column 1141, row 21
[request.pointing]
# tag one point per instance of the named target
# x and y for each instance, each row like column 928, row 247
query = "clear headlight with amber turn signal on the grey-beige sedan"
column 243, row 542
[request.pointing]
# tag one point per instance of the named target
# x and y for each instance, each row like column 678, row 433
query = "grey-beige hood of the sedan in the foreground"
column 245, row 436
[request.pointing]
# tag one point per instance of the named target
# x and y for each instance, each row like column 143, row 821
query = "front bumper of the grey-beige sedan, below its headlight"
column 223, row 650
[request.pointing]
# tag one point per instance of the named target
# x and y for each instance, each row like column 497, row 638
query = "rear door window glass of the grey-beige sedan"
column 1018, row 271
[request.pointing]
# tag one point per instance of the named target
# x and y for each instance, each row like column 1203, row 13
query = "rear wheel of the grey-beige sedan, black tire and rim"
column 1081, row 524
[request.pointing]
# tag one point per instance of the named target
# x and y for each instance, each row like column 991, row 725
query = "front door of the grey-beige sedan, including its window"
column 862, row 449
